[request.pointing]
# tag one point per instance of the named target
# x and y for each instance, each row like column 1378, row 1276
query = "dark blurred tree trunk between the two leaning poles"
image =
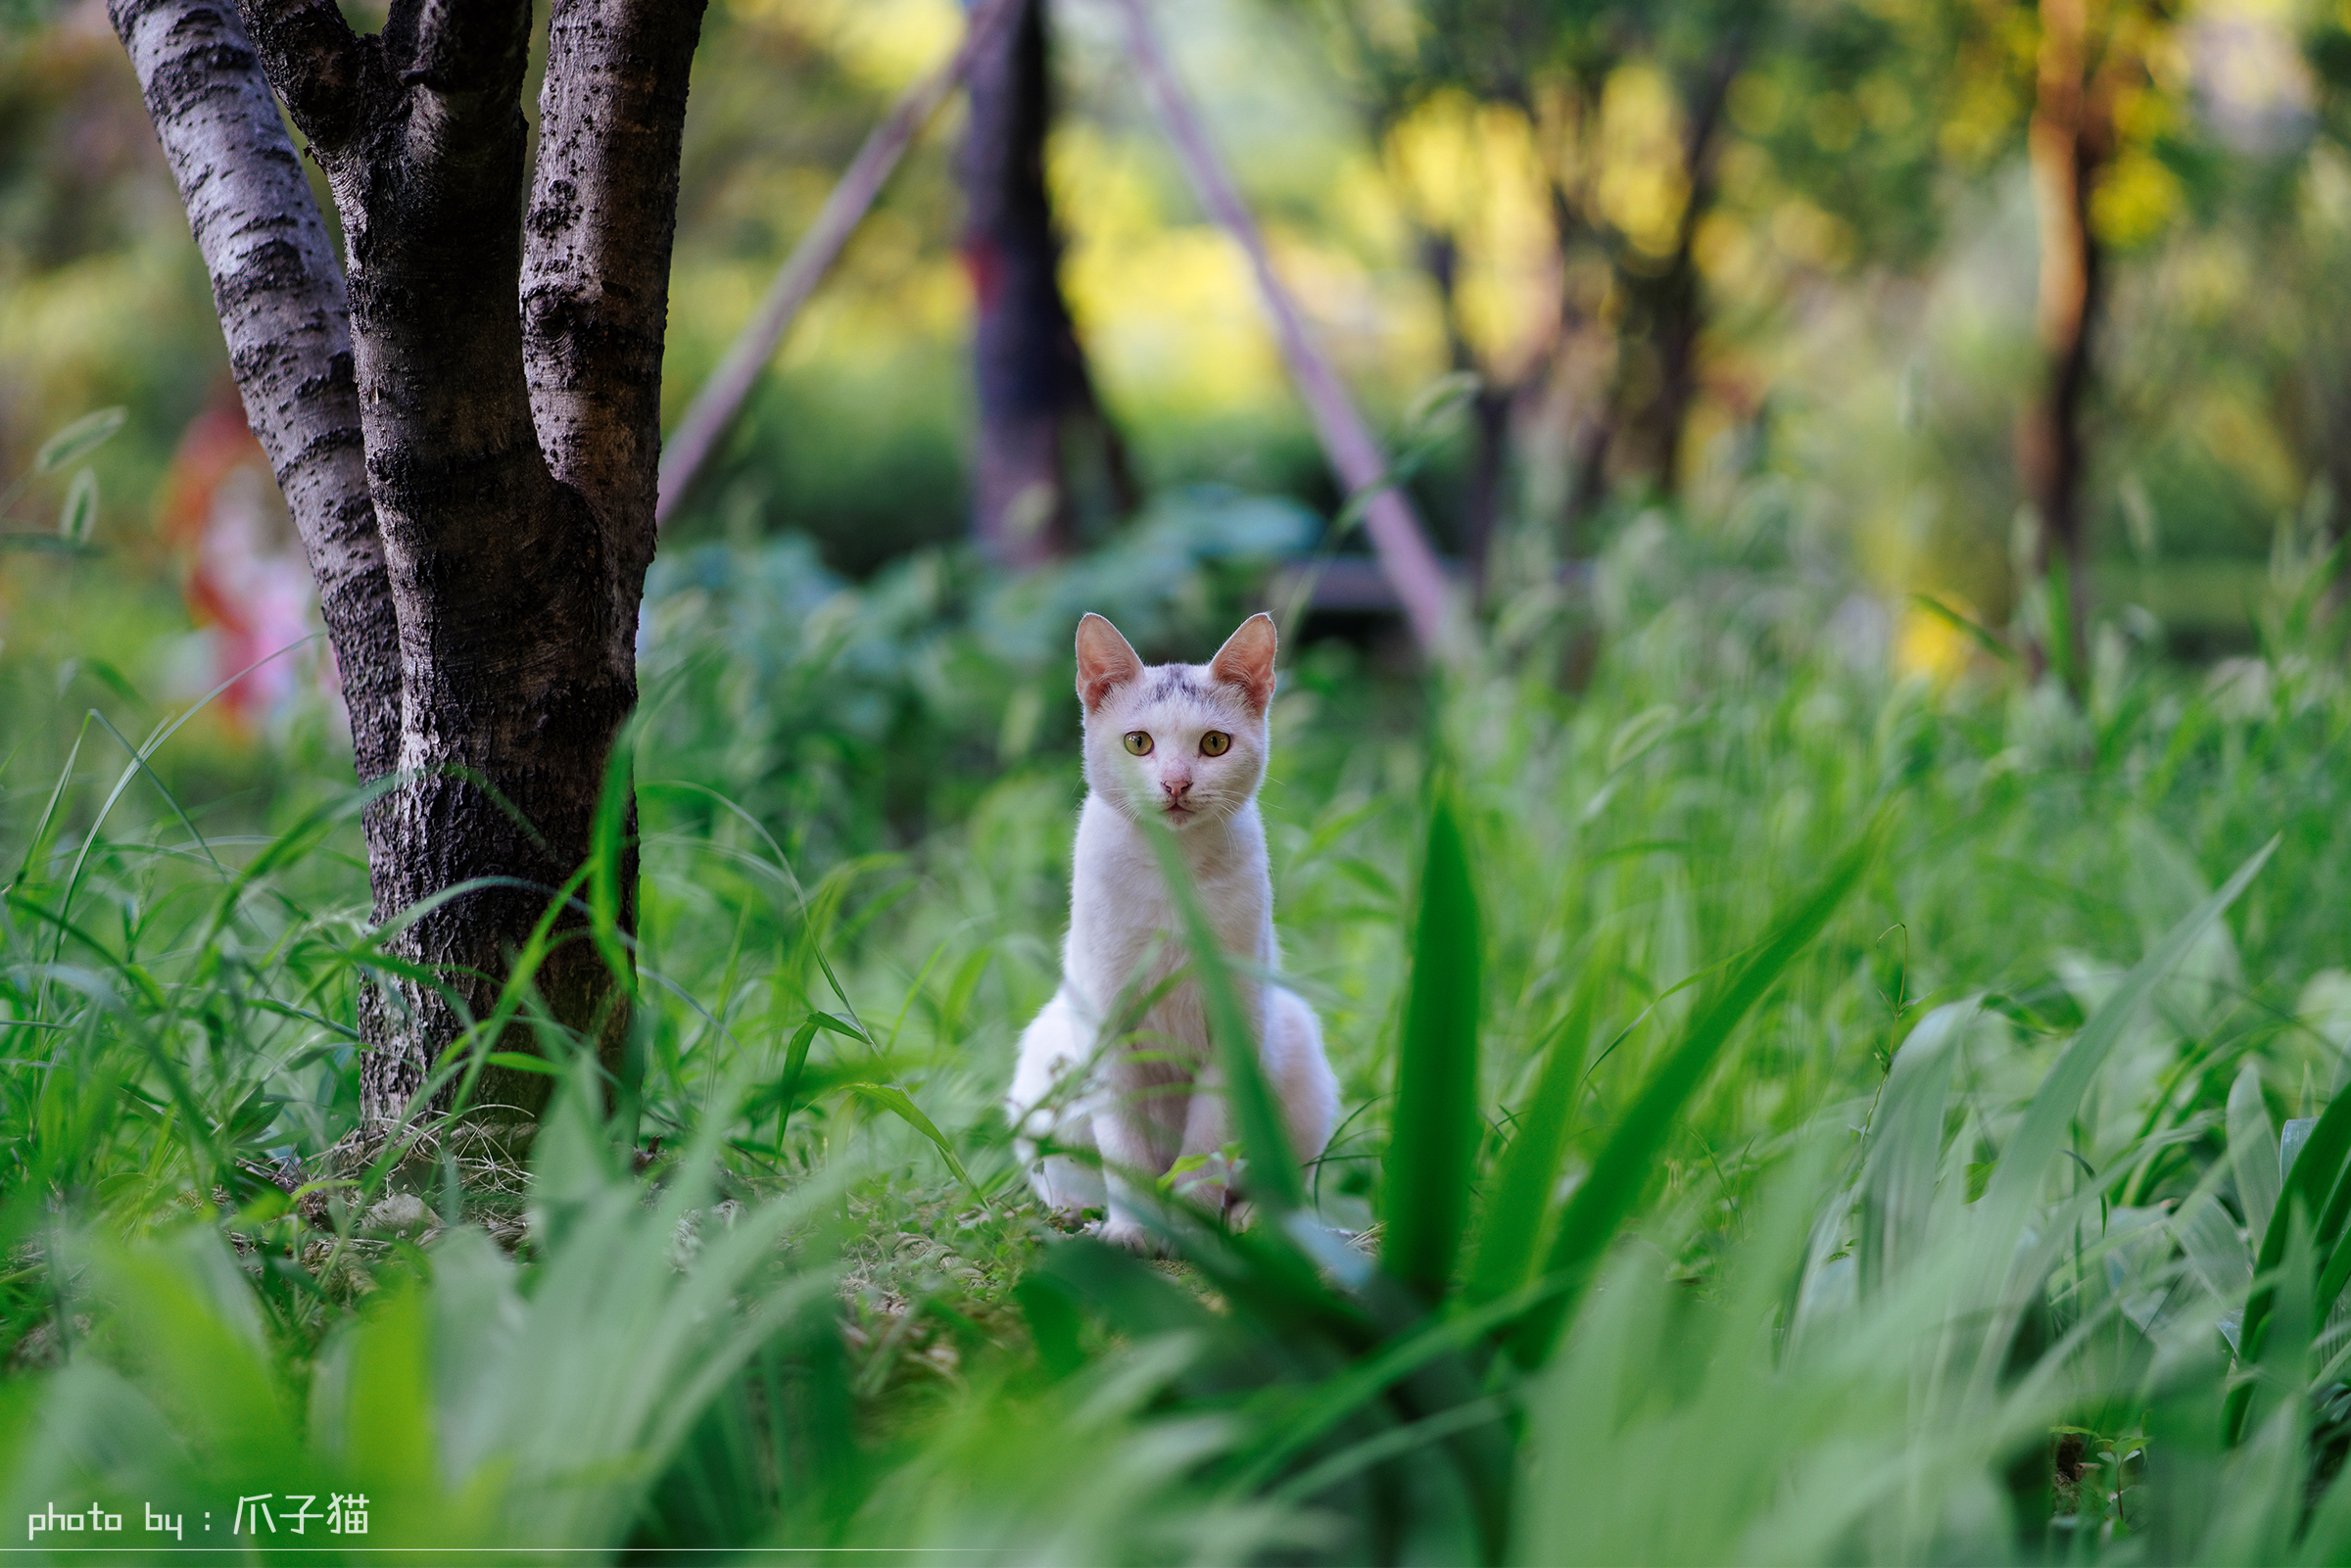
column 1043, row 429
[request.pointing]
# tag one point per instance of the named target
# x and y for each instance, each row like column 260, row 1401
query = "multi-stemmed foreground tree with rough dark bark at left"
column 502, row 382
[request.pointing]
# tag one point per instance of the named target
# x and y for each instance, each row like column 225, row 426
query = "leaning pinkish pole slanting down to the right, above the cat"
column 1402, row 544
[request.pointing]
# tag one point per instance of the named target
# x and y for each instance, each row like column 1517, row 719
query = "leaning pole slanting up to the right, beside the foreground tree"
column 716, row 408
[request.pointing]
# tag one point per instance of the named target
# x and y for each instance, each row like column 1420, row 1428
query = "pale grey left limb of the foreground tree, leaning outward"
column 286, row 319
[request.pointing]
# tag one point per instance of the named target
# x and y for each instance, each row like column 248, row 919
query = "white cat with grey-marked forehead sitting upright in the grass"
column 1186, row 746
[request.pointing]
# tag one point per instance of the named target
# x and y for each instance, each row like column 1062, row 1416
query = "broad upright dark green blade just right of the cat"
column 1431, row 1155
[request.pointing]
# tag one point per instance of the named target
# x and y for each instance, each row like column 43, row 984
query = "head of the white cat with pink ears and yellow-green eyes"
column 1184, row 744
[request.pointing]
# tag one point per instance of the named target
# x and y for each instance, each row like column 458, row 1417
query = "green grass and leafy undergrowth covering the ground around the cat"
column 1790, row 1113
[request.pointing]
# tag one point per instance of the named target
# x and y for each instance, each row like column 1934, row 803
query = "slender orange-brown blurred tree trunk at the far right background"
column 2070, row 142
